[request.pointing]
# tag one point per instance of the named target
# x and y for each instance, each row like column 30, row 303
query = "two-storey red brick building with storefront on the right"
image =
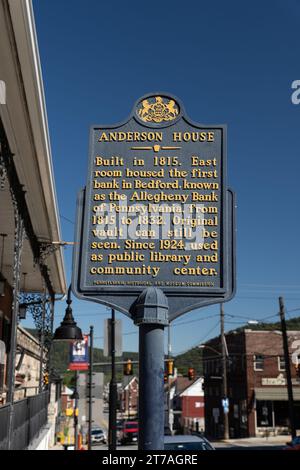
column 257, row 392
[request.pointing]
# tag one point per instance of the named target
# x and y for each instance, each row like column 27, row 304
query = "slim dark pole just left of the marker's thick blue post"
column 112, row 432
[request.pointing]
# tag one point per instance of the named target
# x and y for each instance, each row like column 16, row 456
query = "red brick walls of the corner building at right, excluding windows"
column 242, row 378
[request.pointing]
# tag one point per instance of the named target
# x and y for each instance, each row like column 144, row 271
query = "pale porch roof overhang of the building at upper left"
column 24, row 120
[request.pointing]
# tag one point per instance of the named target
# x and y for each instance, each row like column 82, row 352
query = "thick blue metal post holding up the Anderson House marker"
column 151, row 315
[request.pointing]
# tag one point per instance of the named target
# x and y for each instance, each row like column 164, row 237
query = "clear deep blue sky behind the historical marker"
column 229, row 62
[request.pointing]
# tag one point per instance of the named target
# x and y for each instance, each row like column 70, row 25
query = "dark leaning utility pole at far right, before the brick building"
column 287, row 367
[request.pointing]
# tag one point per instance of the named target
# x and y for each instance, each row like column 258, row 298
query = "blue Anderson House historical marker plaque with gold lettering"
column 156, row 211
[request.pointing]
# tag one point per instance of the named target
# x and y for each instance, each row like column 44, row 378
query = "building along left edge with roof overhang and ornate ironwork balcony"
column 31, row 265
